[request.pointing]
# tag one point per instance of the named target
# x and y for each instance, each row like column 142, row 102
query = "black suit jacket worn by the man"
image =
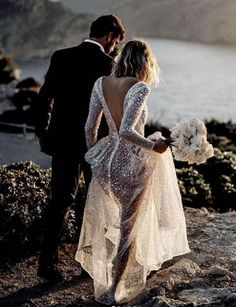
column 63, row 102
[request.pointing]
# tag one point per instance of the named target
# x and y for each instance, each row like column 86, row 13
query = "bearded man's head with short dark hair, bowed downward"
column 108, row 30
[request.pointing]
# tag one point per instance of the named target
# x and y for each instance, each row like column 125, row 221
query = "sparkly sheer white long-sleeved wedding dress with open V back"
column 133, row 208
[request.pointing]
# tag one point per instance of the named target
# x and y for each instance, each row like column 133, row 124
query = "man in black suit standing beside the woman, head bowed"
column 61, row 115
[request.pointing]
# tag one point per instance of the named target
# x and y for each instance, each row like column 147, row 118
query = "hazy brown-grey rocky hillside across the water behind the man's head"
column 204, row 20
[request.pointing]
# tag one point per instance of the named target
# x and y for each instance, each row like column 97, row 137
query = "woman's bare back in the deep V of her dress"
column 114, row 91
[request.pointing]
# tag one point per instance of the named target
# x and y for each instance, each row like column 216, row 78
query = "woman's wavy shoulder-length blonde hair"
column 137, row 60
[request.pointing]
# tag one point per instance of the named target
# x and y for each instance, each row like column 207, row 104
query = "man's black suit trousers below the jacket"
column 66, row 171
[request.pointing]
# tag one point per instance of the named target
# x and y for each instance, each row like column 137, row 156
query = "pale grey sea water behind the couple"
column 197, row 80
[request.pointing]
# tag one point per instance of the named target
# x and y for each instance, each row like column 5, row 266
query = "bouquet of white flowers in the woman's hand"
column 189, row 142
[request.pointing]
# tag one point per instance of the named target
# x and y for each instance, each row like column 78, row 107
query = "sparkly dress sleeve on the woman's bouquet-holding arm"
column 131, row 116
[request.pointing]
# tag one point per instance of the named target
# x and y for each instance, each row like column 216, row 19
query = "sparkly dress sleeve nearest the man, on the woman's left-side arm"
column 94, row 118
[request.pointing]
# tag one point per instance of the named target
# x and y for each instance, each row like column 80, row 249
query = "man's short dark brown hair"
column 106, row 24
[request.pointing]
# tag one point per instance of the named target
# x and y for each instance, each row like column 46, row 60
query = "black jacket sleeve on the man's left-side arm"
column 45, row 100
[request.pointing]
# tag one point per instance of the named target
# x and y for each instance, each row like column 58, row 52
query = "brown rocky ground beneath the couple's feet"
column 204, row 277
